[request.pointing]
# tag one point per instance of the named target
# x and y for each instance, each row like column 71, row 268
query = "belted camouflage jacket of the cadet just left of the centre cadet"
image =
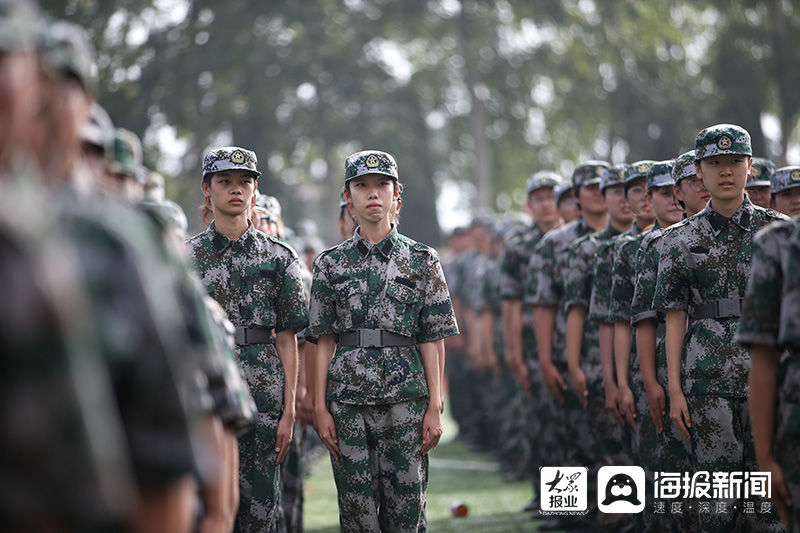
column 257, row 281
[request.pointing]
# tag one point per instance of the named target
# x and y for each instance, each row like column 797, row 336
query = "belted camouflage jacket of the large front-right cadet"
column 703, row 259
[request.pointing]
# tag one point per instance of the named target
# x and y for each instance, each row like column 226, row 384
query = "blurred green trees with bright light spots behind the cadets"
column 474, row 91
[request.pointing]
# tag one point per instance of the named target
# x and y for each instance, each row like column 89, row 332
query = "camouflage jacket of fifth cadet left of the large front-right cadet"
column 545, row 278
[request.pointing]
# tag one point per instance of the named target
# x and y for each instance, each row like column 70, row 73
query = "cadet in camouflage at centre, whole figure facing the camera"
column 379, row 302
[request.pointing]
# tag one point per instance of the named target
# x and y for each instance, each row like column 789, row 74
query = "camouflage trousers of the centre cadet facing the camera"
column 382, row 478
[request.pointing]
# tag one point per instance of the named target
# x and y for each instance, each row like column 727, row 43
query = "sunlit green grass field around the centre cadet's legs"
column 455, row 474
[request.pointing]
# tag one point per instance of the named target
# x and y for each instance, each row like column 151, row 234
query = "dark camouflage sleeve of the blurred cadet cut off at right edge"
column 762, row 301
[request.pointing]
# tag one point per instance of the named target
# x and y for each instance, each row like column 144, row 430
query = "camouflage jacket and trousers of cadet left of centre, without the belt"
column 257, row 281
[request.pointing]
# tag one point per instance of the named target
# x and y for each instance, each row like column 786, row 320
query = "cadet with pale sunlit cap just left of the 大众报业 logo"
column 520, row 345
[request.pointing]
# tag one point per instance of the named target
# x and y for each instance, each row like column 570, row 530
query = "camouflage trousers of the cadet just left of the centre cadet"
column 259, row 476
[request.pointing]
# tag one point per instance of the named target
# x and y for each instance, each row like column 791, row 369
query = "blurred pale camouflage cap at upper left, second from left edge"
column 66, row 49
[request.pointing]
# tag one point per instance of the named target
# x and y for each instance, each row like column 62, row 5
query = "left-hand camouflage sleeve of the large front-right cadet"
column 672, row 282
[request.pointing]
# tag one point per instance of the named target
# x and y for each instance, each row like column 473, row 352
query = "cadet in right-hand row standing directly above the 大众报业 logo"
column 544, row 291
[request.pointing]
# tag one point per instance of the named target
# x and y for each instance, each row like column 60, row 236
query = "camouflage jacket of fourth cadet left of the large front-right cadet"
column 578, row 276
